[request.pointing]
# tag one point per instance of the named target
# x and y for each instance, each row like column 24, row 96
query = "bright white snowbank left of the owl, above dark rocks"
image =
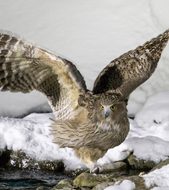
column 33, row 136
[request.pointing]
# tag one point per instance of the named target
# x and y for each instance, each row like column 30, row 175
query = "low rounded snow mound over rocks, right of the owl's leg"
column 146, row 148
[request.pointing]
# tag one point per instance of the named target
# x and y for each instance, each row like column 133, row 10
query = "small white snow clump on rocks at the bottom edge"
column 124, row 185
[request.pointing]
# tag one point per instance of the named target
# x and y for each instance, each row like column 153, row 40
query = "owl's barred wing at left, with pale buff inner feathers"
column 25, row 67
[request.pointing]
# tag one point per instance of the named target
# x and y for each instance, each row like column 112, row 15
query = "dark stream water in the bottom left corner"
column 19, row 180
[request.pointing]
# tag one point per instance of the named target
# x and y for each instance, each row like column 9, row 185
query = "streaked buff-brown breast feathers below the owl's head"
column 76, row 133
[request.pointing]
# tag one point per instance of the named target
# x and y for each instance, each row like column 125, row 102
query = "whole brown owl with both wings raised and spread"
column 90, row 122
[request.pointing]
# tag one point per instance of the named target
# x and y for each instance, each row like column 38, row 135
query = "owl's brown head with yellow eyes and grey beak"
column 105, row 106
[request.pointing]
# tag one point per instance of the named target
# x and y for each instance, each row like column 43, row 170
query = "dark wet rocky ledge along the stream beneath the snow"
column 132, row 169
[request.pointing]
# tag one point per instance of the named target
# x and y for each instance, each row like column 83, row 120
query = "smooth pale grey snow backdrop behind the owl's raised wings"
column 89, row 33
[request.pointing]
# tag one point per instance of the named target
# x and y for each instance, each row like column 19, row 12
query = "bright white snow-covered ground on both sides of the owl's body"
column 148, row 139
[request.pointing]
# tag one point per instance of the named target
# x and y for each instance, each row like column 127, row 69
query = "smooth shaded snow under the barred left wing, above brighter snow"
column 19, row 104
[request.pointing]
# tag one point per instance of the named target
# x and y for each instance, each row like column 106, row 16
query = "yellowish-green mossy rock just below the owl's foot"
column 91, row 180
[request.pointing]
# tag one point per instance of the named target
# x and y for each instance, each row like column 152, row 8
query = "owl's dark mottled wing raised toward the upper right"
column 127, row 72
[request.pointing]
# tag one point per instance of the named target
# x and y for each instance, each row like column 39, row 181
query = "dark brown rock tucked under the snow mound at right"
column 138, row 164
